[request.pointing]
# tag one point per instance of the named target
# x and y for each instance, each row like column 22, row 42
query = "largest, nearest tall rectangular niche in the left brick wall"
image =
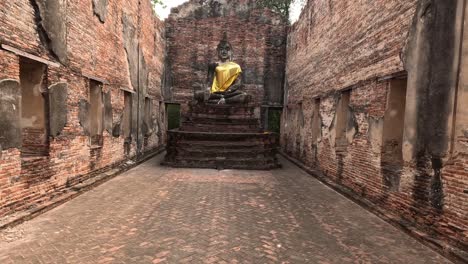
column 34, row 111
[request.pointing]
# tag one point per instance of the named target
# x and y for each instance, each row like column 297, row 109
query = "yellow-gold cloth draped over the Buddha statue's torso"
column 226, row 75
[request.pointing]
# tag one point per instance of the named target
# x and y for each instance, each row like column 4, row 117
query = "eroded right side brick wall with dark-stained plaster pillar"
column 364, row 48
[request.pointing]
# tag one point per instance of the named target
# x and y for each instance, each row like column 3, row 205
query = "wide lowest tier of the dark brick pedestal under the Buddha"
column 222, row 150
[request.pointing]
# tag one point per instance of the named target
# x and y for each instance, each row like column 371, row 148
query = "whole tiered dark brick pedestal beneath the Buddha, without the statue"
column 221, row 137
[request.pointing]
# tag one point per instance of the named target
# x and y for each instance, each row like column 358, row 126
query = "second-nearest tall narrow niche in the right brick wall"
column 342, row 119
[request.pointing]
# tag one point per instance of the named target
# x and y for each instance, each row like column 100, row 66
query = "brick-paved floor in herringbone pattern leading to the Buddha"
column 153, row 214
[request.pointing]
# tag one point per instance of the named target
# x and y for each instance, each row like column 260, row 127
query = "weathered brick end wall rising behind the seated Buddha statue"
column 258, row 38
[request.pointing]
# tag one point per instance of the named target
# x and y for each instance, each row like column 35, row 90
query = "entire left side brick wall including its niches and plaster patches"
column 79, row 93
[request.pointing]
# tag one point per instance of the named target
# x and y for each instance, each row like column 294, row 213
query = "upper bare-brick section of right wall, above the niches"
column 336, row 44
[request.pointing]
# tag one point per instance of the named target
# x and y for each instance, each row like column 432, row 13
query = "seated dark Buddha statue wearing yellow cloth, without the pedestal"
column 224, row 80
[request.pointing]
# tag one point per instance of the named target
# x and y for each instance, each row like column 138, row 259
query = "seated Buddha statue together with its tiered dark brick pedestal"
column 220, row 130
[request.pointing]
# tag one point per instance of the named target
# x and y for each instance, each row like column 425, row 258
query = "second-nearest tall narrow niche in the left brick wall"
column 96, row 113
